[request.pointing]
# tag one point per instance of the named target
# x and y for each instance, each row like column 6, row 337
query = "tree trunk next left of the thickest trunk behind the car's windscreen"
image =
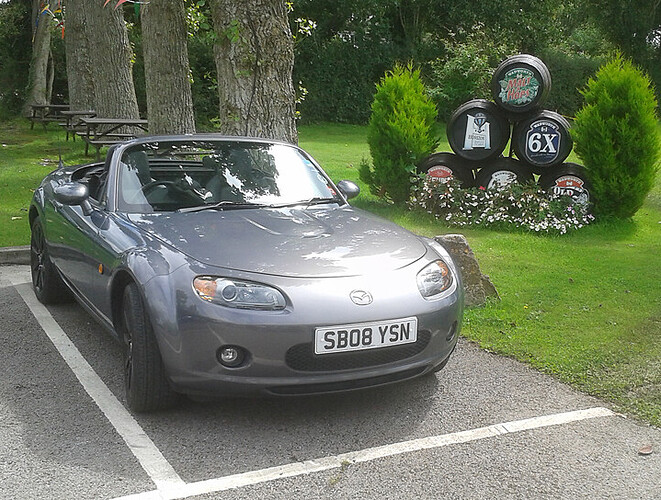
column 167, row 72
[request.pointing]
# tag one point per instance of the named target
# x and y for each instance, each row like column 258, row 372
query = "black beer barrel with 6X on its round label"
column 542, row 140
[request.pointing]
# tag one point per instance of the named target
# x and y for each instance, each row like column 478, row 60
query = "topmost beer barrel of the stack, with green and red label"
column 520, row 83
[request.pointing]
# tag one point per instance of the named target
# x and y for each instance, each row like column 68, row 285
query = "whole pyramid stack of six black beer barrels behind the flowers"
column 479, row 130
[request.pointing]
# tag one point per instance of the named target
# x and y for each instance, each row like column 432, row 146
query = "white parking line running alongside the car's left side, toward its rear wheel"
column 151, row 459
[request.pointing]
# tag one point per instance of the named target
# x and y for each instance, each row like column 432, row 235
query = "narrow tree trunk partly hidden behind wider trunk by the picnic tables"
column 79, row 58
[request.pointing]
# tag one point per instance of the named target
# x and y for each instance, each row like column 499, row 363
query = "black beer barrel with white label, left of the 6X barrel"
column 478, row 131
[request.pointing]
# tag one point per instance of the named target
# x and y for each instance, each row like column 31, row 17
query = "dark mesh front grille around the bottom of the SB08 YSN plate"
column 301, row 357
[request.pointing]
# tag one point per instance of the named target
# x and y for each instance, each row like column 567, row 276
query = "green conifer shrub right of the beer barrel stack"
column 616, row 135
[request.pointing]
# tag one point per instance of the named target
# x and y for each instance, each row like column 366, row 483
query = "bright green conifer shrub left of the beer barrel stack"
column 400, row 133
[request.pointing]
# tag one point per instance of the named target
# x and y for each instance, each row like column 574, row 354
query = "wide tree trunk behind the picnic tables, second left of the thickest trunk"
column 110, row 60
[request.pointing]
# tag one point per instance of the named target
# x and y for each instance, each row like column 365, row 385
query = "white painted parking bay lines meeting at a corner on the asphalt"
column 170, row 486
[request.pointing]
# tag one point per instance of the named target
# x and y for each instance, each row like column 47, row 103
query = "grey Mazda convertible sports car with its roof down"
column 232, row 265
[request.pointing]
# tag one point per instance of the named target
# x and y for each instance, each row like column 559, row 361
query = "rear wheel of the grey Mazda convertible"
column 46, row 280
